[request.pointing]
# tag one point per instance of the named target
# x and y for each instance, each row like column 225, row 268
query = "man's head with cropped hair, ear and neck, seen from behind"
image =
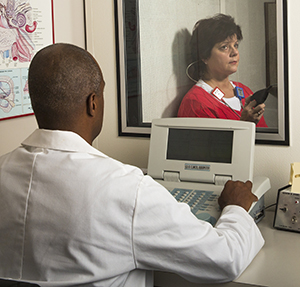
column 66, row 90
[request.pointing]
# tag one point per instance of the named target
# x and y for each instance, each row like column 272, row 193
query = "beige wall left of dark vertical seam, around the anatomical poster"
column 69, row 28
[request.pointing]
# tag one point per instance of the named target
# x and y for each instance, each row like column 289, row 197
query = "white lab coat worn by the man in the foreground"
column 70, row 214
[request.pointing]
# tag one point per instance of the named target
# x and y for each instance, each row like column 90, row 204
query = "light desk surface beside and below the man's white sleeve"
column 276, row 265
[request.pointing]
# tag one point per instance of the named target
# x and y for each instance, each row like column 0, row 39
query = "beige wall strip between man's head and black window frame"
column 101, row 43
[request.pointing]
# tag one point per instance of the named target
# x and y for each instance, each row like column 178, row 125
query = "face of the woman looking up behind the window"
column 224, row 59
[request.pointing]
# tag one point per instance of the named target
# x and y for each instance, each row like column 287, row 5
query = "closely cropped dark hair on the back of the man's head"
column 60, row 78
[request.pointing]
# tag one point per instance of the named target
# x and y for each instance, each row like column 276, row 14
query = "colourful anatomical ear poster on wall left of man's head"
column 26, row 26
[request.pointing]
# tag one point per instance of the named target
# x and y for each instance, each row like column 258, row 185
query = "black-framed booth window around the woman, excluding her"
column 153, row 53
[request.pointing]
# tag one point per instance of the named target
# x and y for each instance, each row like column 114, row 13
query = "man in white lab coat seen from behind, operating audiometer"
column 70, row 215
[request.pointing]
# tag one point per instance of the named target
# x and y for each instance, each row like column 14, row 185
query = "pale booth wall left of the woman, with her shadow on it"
column 165, row 33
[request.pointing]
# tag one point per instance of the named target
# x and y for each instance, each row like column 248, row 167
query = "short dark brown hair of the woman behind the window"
column 206, row 33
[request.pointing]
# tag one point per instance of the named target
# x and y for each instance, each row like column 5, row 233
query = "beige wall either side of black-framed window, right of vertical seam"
column 271, row 161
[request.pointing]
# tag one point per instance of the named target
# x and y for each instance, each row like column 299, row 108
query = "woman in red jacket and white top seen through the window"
column 215, row 52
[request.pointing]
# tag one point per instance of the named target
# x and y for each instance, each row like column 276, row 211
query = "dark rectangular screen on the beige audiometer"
column 200, row 145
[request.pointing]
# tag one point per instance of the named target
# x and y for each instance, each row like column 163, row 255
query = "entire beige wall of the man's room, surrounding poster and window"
column 271, row 161
